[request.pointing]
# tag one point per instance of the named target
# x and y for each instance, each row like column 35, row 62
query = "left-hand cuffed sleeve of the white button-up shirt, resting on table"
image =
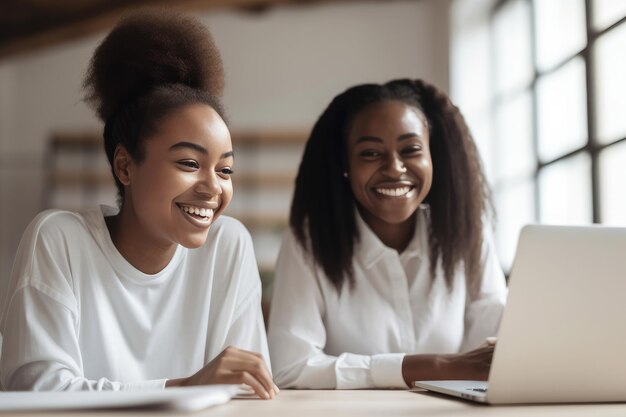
column 297, row 334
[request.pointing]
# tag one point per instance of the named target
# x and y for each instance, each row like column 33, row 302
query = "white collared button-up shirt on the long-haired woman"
column 357, row 339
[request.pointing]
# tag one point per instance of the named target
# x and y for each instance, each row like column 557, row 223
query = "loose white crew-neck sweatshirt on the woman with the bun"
column 78, row 316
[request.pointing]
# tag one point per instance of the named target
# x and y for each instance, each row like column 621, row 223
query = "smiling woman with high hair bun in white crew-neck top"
column 163, row 290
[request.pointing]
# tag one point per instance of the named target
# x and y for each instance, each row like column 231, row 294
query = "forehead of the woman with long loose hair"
column 387, row 118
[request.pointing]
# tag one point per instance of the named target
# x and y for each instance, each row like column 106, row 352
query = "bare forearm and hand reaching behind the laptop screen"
column 472, row 365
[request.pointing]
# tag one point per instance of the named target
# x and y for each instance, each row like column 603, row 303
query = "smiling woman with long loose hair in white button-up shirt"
column 387, row 274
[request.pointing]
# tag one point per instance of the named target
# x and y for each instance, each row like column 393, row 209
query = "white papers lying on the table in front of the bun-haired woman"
column 174, row 399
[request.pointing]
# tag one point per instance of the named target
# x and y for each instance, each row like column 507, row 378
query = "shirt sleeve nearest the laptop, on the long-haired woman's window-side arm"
column 483, row 311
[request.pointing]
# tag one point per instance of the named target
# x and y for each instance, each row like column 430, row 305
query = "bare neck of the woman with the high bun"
column 141, row 250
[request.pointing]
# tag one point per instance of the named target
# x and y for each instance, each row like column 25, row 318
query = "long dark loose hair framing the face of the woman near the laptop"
column 323, row 208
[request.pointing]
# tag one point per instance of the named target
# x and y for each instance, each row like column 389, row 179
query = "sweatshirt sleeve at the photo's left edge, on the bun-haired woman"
column 40, row 323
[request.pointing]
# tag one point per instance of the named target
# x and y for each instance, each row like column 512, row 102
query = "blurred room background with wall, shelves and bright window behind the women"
column 541, row 83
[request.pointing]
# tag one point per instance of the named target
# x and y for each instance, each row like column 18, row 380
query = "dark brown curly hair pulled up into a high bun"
column 152, row 63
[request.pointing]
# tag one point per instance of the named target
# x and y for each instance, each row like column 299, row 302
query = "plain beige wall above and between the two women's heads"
column 284, row 67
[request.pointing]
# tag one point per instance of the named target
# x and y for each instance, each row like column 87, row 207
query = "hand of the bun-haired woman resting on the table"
column 234, row 366
